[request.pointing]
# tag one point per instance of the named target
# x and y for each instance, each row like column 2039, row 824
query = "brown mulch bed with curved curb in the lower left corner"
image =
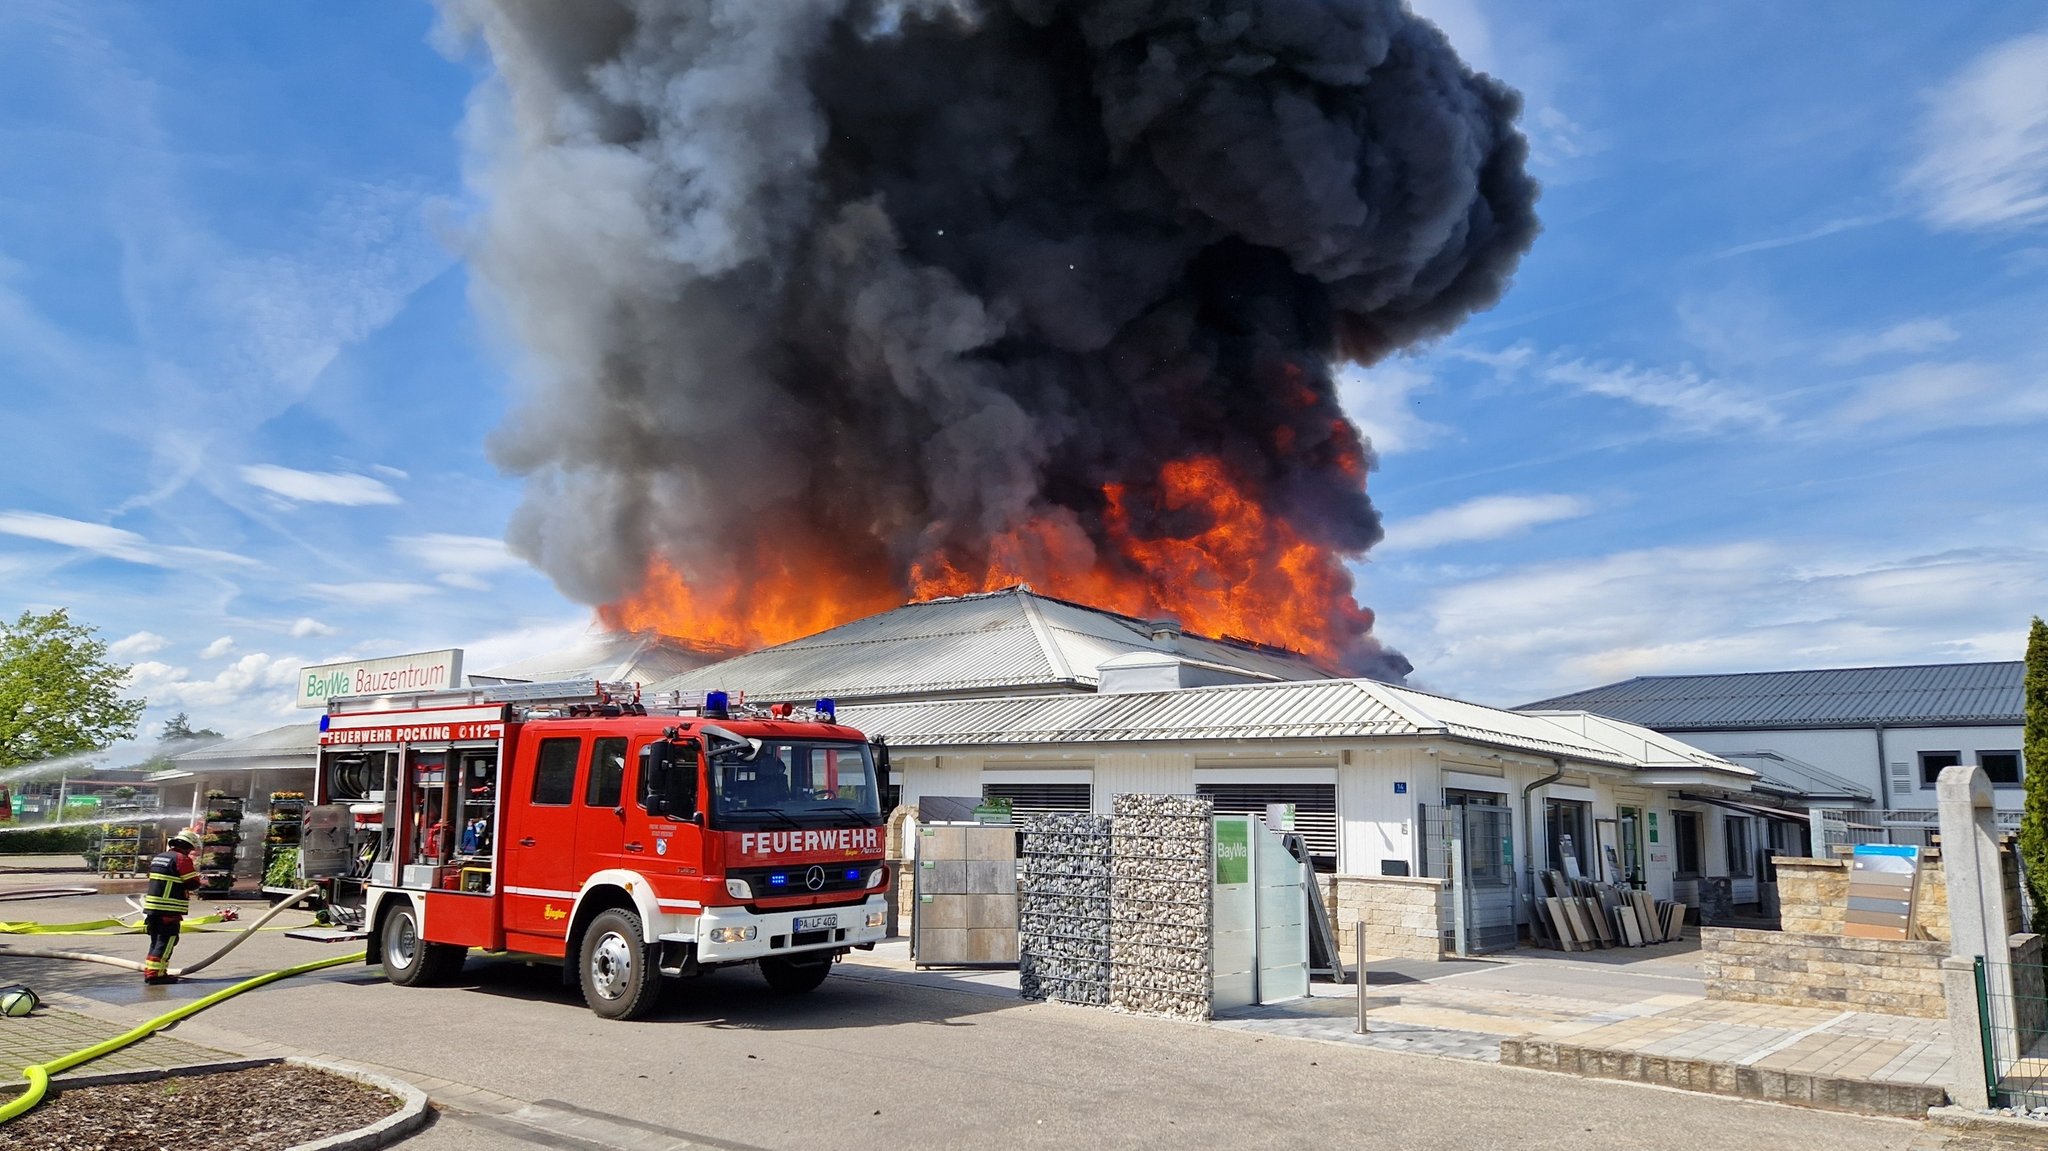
column 261, row 1109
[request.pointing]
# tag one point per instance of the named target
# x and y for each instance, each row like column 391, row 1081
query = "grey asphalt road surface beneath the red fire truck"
column 515, row 1060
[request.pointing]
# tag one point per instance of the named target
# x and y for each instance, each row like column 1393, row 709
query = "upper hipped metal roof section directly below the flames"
column 1011, row 640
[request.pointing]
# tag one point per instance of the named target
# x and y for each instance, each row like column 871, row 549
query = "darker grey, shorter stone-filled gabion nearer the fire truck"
column 1064, row 910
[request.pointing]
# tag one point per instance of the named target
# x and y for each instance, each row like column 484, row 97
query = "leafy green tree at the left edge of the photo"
column 58, row 691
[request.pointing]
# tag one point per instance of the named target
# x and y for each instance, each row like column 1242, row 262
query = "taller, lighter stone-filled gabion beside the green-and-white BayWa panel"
column 1160, row 916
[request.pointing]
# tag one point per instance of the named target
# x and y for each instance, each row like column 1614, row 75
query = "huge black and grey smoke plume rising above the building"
column 867, row 286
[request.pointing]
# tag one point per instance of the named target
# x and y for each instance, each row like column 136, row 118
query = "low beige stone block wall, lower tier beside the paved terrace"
column 1895, row 978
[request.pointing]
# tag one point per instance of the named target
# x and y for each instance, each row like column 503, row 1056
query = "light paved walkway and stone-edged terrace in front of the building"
column 1621, row 1015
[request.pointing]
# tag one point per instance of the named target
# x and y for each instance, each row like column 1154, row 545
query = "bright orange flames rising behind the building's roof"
column 1234, row 572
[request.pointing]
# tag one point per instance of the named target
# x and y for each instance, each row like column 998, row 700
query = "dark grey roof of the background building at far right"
column 1836, row 697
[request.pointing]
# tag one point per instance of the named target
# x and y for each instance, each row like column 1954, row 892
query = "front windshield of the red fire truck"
column 785, row 783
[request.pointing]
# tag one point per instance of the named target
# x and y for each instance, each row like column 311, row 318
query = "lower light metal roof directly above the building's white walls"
column 1314, row 710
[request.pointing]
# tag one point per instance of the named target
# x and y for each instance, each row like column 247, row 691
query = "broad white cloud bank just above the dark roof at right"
column 1740, row 607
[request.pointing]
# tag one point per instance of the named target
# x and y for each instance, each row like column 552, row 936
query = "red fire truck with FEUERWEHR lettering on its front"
column 577, row 824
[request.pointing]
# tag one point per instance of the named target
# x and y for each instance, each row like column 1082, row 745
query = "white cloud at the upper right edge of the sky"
column 1986, row 142
